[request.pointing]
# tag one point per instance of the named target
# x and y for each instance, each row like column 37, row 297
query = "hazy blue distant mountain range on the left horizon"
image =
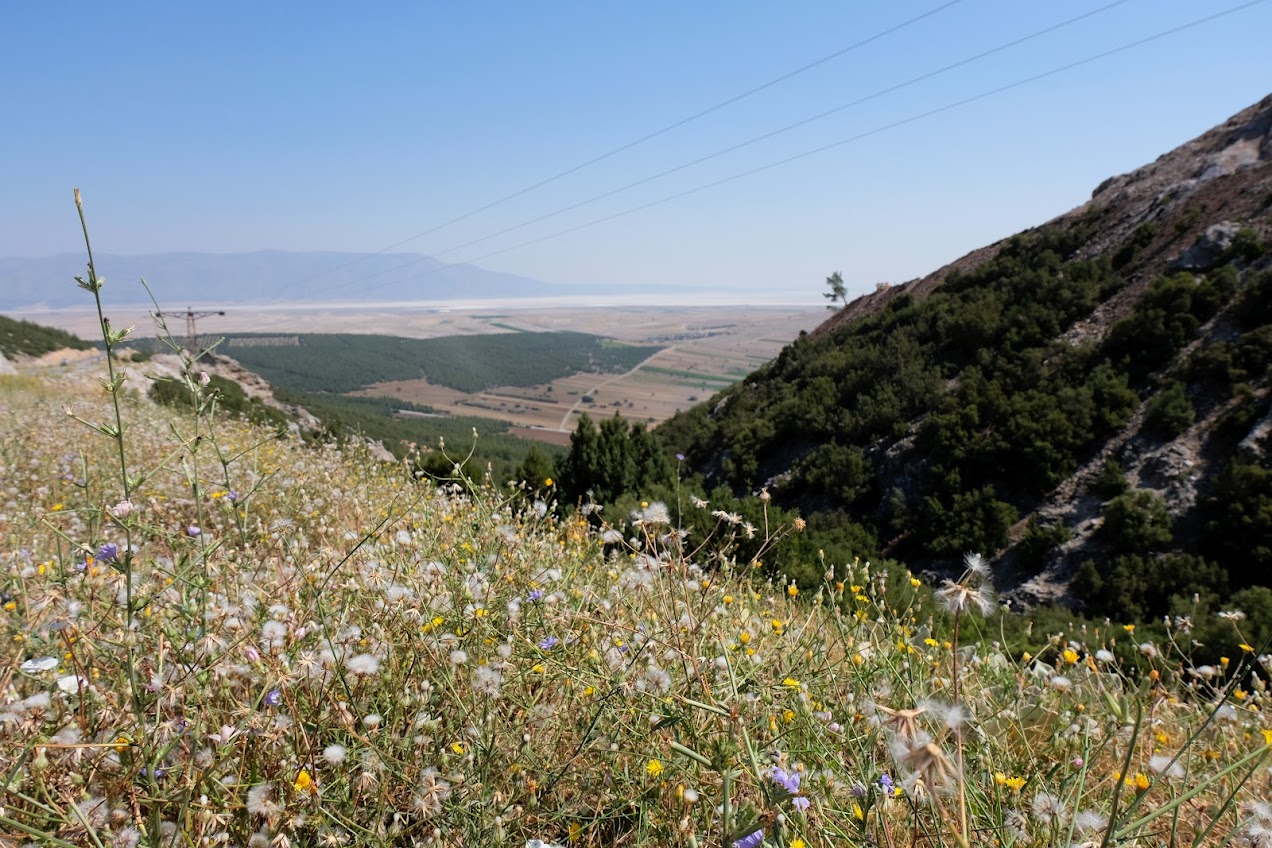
column 265, row 277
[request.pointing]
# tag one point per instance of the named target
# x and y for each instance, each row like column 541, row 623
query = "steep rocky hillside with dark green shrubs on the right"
column 1088, row 400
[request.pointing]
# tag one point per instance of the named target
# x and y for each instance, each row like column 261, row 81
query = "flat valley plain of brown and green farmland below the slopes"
column 660, row 359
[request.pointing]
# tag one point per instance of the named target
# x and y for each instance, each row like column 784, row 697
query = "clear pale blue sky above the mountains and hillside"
column 245, row 127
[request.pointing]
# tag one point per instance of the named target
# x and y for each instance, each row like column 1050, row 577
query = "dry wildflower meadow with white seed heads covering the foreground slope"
column 217, row 636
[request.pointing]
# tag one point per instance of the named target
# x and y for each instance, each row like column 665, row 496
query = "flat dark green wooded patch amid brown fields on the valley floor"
column 345, row 363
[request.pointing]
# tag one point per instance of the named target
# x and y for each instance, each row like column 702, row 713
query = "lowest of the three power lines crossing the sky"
column 886, row 128
